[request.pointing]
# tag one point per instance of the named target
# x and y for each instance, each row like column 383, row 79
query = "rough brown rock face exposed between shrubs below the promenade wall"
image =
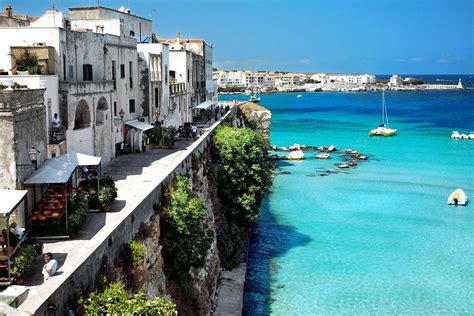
column 150, row 277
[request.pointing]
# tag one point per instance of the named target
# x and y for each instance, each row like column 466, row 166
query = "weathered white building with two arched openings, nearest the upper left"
column 98, row 80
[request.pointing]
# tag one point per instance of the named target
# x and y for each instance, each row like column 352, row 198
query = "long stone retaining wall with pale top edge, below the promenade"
column 140, row 221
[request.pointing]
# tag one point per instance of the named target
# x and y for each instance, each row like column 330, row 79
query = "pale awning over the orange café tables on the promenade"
column 58, row 170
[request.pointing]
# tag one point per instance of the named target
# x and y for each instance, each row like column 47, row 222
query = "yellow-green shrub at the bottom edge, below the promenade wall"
column 115, row 300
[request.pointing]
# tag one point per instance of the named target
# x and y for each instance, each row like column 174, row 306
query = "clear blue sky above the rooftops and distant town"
column 376, row 36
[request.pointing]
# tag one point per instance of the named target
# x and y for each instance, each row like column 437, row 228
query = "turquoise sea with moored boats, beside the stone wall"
column 378, row 239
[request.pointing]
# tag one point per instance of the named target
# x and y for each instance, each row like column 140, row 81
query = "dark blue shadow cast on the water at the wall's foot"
column 269, row 240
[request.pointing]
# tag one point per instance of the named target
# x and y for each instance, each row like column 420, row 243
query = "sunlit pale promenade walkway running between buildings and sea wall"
column 136, row 175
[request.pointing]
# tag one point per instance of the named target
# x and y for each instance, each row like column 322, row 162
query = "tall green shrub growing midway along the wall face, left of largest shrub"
column 185, row 236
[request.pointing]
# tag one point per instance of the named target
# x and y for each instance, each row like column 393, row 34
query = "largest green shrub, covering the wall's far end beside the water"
column 243, row 175
